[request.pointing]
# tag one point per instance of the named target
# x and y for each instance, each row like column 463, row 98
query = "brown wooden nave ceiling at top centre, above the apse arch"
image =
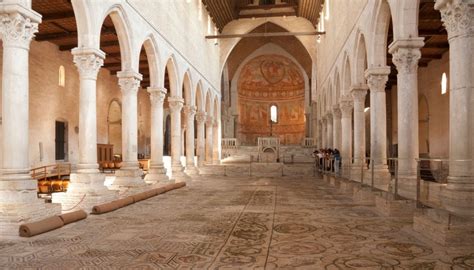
column 223, row 12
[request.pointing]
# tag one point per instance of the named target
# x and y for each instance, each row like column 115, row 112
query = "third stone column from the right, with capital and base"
column 377, row 79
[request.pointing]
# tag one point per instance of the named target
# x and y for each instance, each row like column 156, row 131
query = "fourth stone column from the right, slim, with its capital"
column 358, row 95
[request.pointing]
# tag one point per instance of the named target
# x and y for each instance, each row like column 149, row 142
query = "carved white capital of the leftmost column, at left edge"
column 18, row 26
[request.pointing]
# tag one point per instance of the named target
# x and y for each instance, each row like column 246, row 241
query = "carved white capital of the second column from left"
column 88, row 61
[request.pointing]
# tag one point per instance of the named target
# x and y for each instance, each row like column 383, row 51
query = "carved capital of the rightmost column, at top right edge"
column 457, row 16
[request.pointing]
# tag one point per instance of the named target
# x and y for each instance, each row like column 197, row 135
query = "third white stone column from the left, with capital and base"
column 130, row 173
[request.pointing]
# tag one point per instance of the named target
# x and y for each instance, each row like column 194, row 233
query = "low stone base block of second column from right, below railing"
column 388, row 205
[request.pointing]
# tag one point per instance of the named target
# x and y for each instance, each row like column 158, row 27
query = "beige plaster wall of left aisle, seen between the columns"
column 49, row 102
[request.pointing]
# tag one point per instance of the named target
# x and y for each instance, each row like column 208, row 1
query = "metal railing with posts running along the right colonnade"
column 422, row 184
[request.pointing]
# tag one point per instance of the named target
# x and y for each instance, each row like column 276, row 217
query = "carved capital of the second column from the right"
column 406, row 53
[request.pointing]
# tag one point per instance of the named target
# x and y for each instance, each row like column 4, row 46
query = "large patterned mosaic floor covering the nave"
column 237, row 223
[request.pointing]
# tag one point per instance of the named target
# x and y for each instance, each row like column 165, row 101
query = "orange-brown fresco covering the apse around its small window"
column 271, row 80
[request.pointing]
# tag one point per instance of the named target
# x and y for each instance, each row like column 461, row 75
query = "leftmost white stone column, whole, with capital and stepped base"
column 18, row 199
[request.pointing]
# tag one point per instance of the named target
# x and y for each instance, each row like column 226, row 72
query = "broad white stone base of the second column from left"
column 84, row 192
